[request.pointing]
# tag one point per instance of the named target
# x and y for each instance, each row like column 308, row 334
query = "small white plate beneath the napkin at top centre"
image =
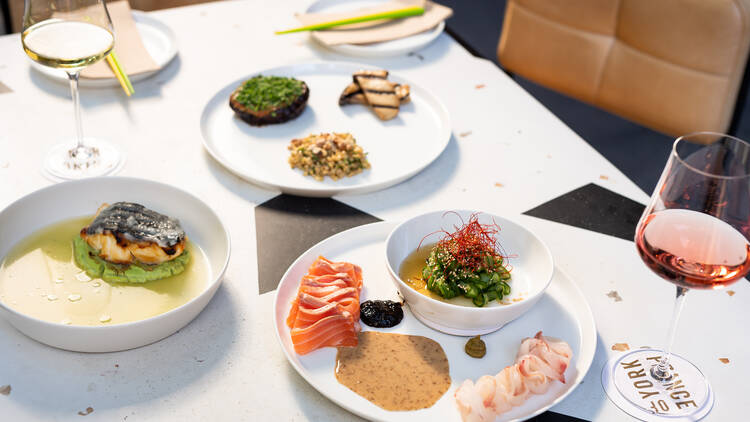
column 380, row 49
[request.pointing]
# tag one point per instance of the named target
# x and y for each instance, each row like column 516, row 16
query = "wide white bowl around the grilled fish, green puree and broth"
column 78, row 198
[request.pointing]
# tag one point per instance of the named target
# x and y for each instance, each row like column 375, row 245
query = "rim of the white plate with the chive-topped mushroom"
column 444, row 137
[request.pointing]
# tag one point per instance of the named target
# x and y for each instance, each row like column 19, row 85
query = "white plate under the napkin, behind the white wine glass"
column 158, row 39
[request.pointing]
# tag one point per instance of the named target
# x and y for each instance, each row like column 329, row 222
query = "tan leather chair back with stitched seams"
column 672, row 65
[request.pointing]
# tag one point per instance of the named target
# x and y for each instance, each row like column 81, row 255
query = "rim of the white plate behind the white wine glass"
column 140, row 18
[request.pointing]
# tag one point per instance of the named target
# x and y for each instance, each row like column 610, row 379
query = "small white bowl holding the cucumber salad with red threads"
column 530, row 276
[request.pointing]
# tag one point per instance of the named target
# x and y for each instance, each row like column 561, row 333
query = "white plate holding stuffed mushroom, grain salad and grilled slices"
column 397, row 149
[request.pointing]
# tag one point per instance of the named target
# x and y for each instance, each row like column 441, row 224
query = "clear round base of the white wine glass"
column 100, row 158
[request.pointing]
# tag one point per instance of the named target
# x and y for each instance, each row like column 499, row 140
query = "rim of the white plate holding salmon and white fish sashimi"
column 587, row 325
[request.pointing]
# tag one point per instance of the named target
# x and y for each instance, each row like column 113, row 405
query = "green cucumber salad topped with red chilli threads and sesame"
column 467, row 263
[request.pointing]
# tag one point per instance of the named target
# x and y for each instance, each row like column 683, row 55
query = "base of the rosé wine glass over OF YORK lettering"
column 627, row 381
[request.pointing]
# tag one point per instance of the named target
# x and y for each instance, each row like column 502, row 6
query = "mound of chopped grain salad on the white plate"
column 335, row 155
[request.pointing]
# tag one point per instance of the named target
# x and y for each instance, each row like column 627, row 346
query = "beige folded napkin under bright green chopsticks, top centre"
column 377, row 31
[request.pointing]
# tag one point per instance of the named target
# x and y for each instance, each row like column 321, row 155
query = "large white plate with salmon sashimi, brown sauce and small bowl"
column 562, row 312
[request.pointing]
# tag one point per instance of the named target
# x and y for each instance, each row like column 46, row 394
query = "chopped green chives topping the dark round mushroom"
column 267, row 92
